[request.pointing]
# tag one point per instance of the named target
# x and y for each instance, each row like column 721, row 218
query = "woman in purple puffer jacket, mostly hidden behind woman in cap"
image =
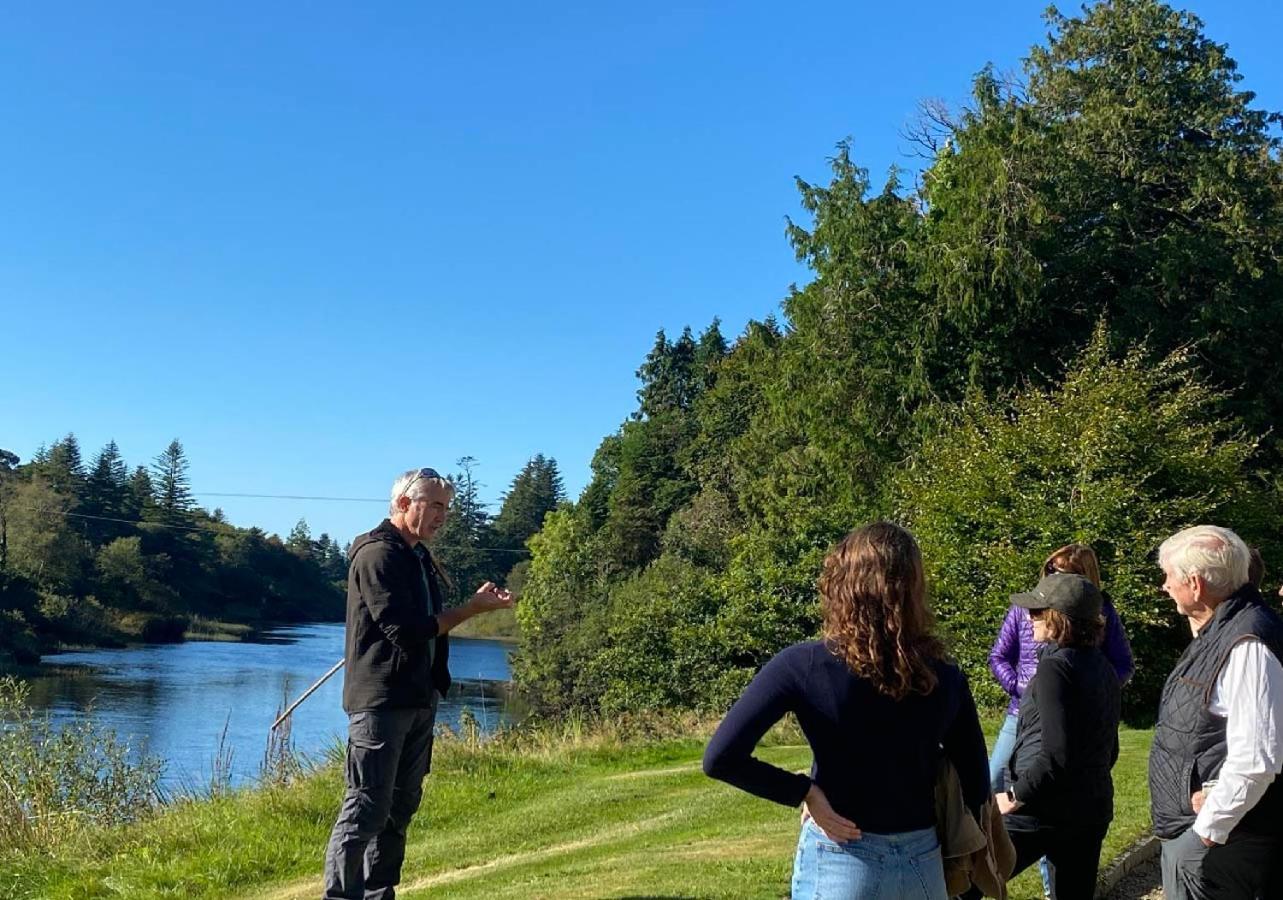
column 1014, row 658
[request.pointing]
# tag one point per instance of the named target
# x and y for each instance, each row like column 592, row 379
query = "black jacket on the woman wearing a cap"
column 1067, row 741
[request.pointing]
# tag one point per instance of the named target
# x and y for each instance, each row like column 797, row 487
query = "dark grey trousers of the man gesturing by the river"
column 389, row 753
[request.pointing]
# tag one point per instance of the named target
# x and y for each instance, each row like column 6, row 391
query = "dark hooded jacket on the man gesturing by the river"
column 395, row 652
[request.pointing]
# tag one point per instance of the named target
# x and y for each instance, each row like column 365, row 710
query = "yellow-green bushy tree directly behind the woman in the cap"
column 1122, row 455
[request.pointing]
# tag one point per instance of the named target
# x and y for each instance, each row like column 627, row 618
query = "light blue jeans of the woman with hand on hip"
column 877, row 867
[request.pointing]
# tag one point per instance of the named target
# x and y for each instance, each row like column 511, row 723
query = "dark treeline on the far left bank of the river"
column 103, row 554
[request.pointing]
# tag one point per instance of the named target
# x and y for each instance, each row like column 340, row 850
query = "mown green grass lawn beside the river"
column 548, row 818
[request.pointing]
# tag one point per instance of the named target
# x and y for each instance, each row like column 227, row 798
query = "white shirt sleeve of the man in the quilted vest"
column 1249, row 694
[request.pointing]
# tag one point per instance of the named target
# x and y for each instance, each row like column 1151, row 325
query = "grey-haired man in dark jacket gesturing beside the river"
column 397, row 670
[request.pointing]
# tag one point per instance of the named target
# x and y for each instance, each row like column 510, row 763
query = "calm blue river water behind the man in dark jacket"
column 174, row 700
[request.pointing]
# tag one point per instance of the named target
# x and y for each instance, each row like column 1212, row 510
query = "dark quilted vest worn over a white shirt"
column 1189, row 740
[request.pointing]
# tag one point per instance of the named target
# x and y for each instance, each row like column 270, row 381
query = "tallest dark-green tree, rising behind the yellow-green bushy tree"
column 1127, row 179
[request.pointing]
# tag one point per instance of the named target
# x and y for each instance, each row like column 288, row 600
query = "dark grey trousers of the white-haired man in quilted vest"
column 1234, row 871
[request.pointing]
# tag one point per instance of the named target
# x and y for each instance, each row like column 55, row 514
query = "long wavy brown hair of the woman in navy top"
column 874, row 598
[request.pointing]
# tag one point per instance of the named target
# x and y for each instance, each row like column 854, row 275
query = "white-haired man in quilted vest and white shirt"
column 1218, row 745
